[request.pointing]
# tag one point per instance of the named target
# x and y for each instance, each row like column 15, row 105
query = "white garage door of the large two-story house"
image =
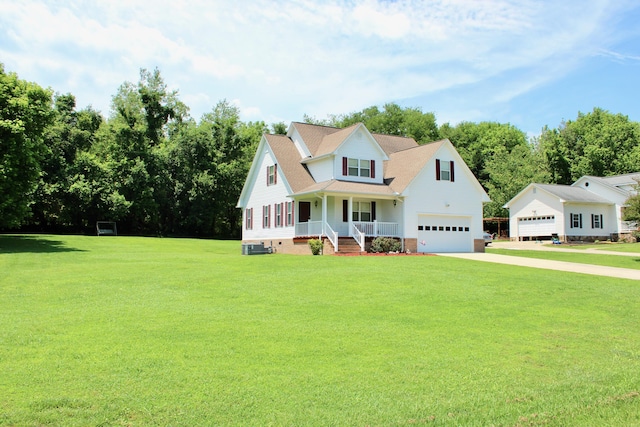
column 444, row 234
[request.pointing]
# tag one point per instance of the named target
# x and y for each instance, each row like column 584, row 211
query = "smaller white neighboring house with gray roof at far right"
column 589, row 209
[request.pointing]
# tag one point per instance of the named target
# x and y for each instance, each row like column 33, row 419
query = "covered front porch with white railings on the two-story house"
column 355, row 216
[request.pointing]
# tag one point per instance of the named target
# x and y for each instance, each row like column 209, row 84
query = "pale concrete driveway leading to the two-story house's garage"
column 598, row 270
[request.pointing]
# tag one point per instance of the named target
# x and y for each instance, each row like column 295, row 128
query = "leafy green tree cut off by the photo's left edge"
column 25, row 112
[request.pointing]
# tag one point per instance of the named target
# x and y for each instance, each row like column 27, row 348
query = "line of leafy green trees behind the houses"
column 157, row 171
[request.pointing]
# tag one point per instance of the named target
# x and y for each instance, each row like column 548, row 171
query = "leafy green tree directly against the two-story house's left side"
column 209, row 162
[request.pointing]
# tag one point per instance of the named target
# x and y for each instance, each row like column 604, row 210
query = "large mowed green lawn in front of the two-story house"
column 143, row 331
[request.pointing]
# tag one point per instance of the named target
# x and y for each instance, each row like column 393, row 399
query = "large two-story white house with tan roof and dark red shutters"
column 349, row 185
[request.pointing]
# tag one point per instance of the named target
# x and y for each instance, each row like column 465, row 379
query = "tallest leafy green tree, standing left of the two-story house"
column 133, row 147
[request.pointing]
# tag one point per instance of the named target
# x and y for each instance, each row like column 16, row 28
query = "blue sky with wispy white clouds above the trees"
column 524, row 62
